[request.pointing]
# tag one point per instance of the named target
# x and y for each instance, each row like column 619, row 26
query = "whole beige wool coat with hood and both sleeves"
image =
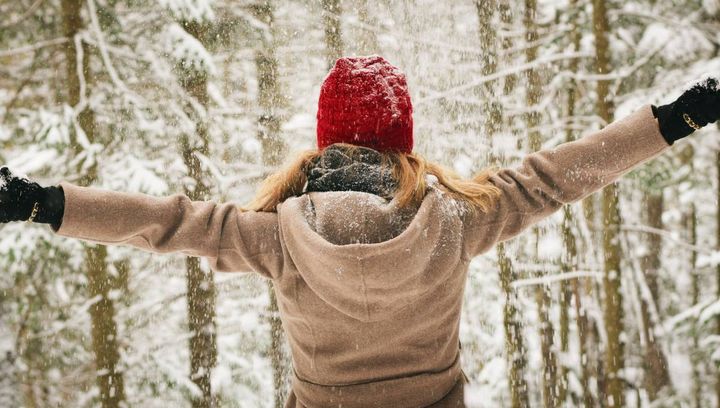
column 370, row 296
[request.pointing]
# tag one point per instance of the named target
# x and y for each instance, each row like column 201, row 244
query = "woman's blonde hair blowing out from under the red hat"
column 410, row 171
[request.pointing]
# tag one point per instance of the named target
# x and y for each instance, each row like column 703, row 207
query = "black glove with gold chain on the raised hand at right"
column 694, row 109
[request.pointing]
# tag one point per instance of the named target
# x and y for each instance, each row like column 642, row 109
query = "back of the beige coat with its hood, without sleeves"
column 364, row 318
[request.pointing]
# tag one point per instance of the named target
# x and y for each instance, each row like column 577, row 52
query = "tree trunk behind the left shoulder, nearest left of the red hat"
column 270, row 101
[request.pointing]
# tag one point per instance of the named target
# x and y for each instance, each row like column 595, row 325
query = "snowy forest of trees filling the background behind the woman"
column 612, row 301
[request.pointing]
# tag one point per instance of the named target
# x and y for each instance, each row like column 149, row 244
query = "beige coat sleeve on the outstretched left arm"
column 233, row 240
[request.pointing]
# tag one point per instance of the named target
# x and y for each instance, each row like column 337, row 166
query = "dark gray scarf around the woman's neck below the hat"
column 336, row 170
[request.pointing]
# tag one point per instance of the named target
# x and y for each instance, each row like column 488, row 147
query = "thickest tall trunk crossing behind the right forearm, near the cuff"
column 613, row 310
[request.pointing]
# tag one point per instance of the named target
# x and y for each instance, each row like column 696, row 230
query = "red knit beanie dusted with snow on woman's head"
column 364, row 101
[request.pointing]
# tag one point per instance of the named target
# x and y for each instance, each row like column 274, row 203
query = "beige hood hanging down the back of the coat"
column 362, row 254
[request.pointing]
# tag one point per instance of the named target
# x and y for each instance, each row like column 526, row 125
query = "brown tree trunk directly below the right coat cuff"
column 655, row 362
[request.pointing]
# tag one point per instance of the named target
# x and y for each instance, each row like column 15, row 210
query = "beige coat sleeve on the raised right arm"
column 569, row 172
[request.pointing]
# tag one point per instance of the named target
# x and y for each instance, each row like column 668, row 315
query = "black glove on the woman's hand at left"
column 18, row 197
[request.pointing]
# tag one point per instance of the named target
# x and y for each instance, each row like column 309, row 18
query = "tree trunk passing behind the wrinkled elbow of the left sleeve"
column 200, row 283
